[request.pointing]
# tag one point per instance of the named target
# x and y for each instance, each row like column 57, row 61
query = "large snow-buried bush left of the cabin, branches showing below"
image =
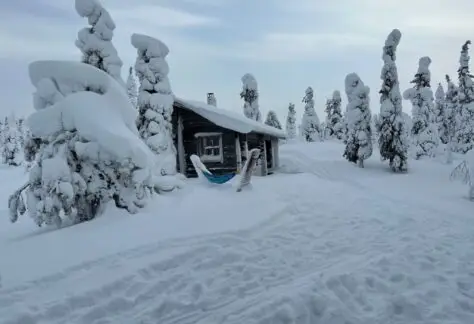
column 85, row 144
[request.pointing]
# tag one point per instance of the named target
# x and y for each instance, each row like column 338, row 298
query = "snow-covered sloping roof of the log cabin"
column 229, row 119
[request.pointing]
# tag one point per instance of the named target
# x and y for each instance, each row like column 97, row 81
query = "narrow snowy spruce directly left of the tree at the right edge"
column 451, row 116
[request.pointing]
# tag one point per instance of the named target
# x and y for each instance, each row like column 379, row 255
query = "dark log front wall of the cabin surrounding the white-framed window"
column 192, row 124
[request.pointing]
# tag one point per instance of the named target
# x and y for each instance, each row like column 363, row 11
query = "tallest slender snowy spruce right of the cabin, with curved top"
column 393, row 142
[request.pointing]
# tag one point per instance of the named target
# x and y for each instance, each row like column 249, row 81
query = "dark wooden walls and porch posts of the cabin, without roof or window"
column 235, row 146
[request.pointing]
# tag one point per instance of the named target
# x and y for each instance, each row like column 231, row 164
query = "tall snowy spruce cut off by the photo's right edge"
column 465, row 131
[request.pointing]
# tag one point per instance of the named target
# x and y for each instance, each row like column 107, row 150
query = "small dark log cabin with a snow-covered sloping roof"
column 222, row 139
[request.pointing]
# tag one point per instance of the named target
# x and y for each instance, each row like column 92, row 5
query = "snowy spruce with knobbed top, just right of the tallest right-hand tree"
column 424, row 132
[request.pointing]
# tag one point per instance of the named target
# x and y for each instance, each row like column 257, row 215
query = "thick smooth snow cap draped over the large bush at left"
column 103, row 115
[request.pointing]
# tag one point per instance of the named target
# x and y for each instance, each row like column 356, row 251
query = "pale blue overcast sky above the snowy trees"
column 287, row 45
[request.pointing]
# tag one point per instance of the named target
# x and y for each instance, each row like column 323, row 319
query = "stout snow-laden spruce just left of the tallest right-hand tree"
column 359, row 133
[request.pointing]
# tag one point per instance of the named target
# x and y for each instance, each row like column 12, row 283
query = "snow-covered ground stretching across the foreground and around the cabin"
column 332, row 244
